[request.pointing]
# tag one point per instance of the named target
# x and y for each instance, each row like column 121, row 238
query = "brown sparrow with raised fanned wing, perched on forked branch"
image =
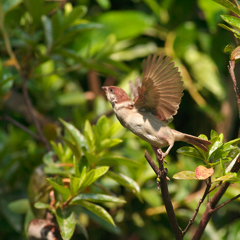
column 155, row 102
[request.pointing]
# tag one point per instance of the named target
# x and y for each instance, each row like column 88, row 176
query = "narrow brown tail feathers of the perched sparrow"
column 201, row 143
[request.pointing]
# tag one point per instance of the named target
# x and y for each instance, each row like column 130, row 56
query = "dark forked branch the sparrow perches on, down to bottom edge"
column 162, row 174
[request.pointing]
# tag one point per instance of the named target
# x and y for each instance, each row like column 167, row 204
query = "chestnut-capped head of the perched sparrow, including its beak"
column 116, row 95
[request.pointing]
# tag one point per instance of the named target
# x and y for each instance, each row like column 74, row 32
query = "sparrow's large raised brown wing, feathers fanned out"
column 161, row 89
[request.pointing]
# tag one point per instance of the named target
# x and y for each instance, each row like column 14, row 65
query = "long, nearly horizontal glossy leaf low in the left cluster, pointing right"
column 94, row 197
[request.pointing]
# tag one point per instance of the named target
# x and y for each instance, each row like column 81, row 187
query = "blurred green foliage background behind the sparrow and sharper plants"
column 67, row 50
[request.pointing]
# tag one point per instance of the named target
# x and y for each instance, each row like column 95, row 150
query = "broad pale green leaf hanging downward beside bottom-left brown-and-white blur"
column 66, row 222
